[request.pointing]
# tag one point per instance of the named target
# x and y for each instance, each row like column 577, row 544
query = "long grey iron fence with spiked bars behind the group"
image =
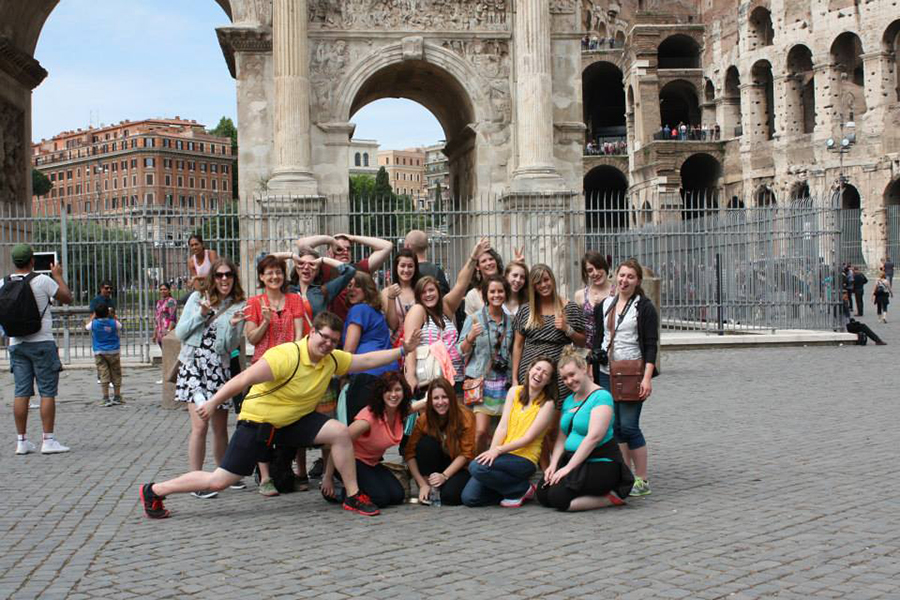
column 721, row 269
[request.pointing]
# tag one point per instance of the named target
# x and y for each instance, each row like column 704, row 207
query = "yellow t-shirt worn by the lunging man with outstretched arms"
column 301, row 394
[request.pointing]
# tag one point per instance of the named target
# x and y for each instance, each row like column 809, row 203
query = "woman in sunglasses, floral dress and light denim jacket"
column 210, row 327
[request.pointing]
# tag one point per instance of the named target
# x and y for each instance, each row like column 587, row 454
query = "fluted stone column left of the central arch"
column 290, row 48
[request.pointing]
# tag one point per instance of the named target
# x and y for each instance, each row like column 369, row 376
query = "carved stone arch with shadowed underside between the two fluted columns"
column 464, row 102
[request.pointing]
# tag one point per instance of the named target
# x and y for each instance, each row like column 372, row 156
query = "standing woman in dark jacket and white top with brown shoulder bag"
column 633, row 318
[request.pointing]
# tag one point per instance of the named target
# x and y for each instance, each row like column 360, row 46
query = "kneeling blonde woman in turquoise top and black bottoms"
column 586, row 468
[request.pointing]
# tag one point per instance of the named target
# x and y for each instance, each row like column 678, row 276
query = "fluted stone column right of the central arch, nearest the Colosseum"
column 535, row 171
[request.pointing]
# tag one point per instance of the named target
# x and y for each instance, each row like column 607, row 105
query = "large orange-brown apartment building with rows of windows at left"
column 160, row 171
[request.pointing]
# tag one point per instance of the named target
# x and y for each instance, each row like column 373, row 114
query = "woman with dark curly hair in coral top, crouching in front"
column 377, row 428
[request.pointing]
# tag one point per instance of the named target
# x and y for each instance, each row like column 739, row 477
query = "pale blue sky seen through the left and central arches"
column 111, row 60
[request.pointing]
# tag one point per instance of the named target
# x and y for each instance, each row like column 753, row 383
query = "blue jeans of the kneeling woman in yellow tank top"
column 506, row 478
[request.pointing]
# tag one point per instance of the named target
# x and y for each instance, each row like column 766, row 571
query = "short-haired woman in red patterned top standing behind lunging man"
column 274, row 317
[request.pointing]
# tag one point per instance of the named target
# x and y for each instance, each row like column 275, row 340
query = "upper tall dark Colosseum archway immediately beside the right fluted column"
column 603, row 100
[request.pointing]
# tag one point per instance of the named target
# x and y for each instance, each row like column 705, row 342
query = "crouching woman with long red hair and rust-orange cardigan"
column 441, row 445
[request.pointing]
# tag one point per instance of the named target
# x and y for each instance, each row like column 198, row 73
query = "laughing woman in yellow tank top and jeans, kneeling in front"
column 501, row 474
